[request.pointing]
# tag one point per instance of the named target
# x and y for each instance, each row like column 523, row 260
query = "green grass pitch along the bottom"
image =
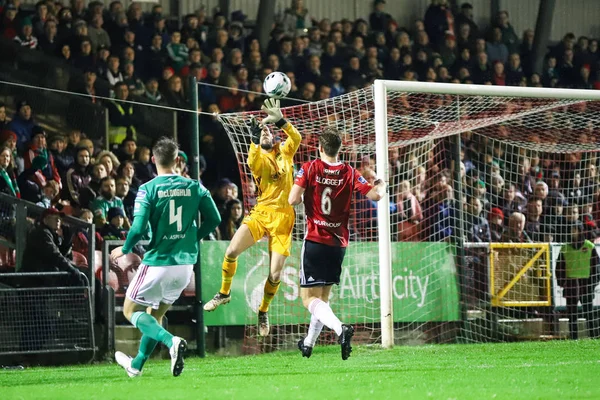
column 533, row 370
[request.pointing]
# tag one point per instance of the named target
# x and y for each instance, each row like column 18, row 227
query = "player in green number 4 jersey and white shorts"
column 169, row 204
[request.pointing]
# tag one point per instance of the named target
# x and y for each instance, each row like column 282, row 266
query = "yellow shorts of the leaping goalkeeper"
column 277, row 225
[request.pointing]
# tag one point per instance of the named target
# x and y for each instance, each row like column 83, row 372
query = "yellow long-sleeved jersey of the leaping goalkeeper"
column 274, row 171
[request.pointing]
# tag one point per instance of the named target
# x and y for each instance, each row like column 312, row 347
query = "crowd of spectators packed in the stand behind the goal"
column 517, row 199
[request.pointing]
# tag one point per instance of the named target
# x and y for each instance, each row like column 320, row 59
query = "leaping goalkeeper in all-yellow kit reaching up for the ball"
column 272, row 168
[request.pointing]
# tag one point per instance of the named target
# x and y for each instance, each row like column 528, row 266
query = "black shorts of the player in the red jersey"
column 320, row 264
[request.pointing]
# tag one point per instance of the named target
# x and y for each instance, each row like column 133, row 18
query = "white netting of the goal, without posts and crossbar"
column 441, row 292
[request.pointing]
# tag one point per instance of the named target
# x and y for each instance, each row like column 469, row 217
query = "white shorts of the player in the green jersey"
column 154, row 285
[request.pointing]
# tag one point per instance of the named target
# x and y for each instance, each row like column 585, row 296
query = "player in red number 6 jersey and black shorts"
column 327, row 186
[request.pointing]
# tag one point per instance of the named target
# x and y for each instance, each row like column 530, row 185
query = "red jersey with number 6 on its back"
column 327, row 198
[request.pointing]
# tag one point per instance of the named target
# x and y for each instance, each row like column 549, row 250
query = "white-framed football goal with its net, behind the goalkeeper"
column 485, row 186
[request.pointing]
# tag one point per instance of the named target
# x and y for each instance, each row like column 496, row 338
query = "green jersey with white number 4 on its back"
column 170, row 205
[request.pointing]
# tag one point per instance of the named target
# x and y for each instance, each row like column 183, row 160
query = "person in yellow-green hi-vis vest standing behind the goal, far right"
column 577, row 274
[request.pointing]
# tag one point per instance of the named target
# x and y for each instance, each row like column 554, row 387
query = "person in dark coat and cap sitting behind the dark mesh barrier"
column 46, row 251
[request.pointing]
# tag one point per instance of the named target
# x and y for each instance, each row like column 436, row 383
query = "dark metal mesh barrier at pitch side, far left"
column 44, row 319
